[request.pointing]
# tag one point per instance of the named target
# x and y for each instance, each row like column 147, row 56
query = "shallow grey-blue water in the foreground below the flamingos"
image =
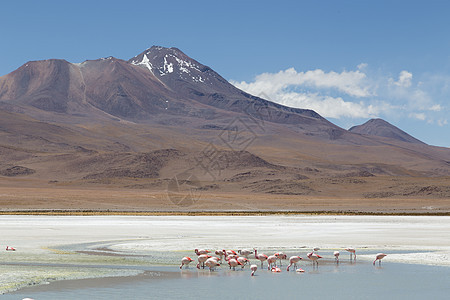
column 360, row 280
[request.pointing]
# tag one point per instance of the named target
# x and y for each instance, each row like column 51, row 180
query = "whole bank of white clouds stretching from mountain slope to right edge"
column 358, row 93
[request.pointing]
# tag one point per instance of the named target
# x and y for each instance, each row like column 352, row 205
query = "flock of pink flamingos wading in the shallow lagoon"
column 241, row 258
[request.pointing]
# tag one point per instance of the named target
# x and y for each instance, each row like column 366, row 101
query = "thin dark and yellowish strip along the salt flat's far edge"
column 57, row 212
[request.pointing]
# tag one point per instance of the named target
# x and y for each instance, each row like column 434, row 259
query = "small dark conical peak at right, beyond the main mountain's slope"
column 379, row 127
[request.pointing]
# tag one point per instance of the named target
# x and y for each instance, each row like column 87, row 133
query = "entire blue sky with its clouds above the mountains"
column 349, row 60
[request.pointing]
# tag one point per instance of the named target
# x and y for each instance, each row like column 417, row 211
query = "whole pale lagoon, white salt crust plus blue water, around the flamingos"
column 56, row 248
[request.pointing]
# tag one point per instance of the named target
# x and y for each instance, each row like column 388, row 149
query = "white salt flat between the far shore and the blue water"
column 61, row 246
